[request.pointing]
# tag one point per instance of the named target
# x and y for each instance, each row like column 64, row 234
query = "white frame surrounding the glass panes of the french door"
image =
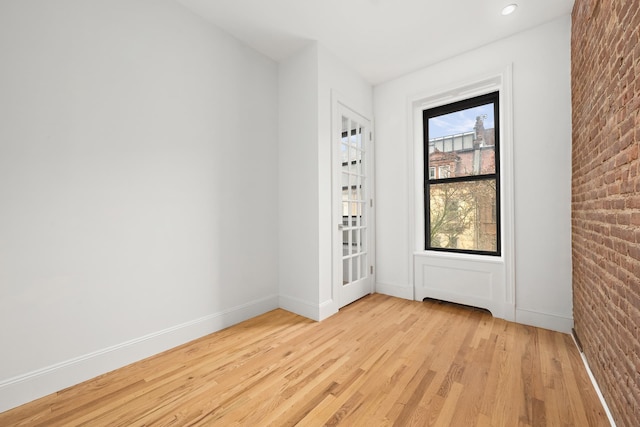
column 338, row 105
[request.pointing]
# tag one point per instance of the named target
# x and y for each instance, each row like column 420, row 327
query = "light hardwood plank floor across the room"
column 380, row 361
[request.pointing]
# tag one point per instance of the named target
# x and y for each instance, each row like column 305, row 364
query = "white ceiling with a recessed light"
column 380, row 39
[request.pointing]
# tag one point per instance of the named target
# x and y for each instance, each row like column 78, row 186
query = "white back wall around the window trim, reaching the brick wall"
column 542, row 164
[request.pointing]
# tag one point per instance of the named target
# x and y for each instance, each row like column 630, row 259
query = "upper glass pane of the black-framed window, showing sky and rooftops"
column 463, row 142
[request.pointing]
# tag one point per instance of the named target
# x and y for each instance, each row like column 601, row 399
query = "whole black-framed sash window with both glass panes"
column 462, row 203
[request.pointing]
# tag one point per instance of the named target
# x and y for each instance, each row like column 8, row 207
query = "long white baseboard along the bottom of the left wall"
column 41, row 382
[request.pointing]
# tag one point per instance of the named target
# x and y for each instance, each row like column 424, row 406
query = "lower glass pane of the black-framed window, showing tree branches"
column 462, row 215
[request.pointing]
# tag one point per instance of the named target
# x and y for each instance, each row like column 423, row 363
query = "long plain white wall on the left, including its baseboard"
column 138, row 186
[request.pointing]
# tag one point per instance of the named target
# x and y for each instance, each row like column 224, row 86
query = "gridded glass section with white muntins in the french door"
column 354, row 200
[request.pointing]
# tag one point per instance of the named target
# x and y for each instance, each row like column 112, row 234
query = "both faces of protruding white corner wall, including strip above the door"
column 307, row 81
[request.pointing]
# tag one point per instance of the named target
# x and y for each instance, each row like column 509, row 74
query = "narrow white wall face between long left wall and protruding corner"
column 298, row 182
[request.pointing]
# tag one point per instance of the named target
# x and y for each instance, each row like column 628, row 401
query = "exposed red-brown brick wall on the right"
column 605, row 46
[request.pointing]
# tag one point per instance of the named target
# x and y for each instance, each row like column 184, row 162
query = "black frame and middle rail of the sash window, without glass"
column 493, row 97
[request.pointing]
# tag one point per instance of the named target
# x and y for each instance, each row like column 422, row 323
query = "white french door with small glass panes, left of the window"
column 353, row 255
